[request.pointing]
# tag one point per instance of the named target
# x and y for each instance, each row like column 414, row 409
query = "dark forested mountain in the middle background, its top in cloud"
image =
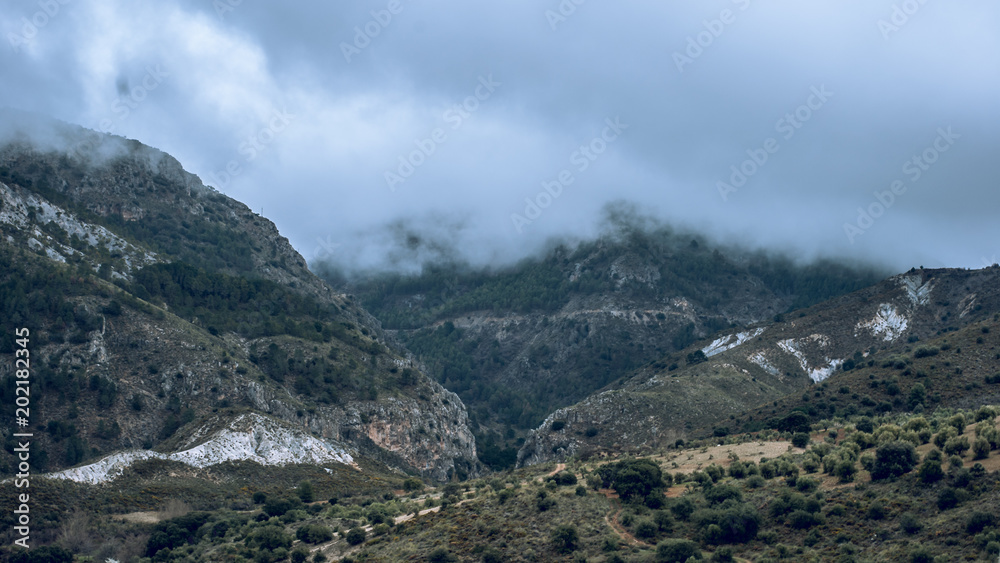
column 519, row 342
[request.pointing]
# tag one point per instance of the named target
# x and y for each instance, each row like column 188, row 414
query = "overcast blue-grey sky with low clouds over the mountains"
column 782, row 124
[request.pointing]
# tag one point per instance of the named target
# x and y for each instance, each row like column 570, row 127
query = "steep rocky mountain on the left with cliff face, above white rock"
column 156, row 304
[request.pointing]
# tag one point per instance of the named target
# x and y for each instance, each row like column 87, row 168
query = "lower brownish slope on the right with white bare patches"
column 708, row 385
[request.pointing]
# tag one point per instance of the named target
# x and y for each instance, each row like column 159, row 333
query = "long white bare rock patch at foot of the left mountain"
column 258, row 439
